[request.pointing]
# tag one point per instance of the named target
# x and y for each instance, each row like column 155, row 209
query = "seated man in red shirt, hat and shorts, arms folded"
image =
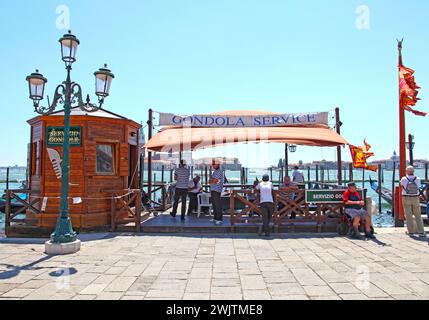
column 355, row 209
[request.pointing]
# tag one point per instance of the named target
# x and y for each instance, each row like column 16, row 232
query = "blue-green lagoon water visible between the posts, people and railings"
column 383, row 220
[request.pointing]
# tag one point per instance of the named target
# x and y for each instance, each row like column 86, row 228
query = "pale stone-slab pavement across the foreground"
column 311, row 266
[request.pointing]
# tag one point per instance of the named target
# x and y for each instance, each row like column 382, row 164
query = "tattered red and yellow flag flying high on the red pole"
column 409, row 90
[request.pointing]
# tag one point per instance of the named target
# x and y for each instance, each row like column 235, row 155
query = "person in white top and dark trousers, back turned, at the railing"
column 266, row 204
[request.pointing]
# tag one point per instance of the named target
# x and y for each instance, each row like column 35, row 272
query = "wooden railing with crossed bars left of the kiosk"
column 27, row 205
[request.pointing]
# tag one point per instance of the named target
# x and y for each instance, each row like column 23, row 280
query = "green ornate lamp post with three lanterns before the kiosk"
column 68, row 94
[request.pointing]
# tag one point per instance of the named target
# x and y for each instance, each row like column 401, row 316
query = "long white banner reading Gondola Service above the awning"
column 237, row 121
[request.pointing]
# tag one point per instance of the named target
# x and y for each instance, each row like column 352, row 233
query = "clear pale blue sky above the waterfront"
column 188, row 56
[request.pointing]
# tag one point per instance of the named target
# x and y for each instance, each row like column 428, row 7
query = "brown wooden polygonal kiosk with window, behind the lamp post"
column 104, row 155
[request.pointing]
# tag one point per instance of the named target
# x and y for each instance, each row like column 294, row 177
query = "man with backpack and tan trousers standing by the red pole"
column 411, row 201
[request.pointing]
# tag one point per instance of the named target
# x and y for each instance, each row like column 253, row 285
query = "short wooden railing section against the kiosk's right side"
column 126, row 207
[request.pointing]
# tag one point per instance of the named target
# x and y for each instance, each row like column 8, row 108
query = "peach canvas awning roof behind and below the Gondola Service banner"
column 193, row 138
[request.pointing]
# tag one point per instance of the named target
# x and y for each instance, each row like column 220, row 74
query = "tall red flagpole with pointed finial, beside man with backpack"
column 399, row 217
